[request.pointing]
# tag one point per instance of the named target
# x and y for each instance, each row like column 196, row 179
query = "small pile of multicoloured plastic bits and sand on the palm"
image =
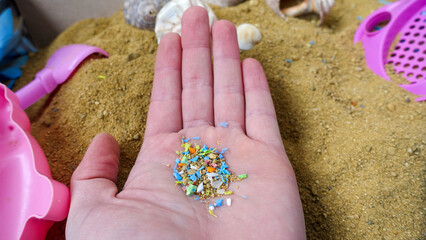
column 203, row 172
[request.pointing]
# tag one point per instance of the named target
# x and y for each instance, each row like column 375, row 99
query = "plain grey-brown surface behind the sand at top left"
column 45, row 19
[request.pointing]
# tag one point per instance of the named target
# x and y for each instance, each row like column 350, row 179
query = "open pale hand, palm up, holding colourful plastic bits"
column 188, row 101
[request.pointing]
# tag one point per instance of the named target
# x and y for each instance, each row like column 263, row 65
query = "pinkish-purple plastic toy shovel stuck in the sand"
column 58, row 68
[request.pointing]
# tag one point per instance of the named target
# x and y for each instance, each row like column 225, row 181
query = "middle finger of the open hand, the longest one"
column 197, row 90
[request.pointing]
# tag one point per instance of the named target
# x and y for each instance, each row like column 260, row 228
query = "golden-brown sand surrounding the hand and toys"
column 356, row 141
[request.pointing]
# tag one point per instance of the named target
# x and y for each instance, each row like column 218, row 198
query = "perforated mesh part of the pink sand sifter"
column 409, row 55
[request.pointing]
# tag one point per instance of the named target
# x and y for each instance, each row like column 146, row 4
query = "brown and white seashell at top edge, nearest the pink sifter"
column 321, row 7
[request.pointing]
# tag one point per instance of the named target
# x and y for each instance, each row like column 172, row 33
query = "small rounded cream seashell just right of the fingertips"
column 248, row 36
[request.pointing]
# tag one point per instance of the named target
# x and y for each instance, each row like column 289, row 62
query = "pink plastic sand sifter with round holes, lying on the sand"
column 407, row 18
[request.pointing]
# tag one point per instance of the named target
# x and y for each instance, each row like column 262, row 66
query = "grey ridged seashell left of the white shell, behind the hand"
column 142, row 13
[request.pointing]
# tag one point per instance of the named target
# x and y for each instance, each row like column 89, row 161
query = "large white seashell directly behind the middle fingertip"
column 170, row 16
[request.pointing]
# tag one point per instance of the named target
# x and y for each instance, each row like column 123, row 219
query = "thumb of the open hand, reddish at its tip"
column 95, row 177
